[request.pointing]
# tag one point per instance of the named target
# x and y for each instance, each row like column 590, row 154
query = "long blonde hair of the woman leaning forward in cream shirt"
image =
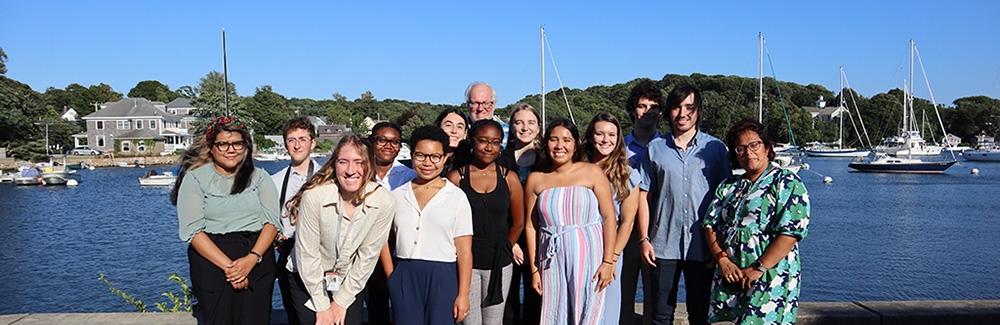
column 328, row 173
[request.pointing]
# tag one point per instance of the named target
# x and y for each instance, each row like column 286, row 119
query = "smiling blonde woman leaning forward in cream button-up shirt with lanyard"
column 342, row 219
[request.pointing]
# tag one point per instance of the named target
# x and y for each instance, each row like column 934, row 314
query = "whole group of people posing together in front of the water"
column 487, row 208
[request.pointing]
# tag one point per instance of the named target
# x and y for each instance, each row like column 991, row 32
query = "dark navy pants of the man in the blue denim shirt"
column 697, row 282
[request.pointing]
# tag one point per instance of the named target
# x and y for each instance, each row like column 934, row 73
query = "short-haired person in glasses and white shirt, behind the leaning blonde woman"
column 298, row 135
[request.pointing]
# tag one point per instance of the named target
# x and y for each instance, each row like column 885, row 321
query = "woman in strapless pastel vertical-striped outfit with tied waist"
column 571, row 230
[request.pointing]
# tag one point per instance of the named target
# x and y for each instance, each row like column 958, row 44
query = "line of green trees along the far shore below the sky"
column 24, row 113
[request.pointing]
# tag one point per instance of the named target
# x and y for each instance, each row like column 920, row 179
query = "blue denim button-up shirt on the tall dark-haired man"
column 680, row 185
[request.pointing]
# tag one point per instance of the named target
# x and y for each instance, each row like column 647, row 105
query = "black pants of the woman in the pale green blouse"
column 218, row 301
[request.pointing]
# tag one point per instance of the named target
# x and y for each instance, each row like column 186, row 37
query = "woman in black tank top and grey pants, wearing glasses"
column 494, row 193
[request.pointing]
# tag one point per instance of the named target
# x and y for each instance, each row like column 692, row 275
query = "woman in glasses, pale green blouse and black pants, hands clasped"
column 227, row 211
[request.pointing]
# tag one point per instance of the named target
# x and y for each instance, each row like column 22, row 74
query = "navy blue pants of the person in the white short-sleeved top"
column 423, row 292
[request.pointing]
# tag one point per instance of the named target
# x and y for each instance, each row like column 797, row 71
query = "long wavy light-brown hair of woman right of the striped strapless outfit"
column 614, row 165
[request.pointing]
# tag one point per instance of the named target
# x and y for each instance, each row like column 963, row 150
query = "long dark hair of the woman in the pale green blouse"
column 200, row 153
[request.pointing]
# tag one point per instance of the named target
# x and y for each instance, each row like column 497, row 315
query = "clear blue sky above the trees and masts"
column 429, row 52
